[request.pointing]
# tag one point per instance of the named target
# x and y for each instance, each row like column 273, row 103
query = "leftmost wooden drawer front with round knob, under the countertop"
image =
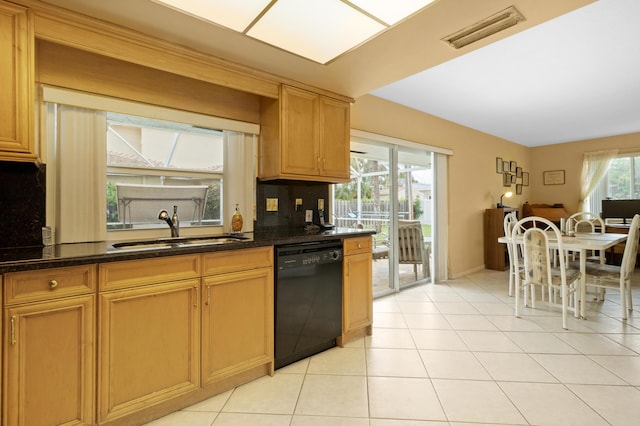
column 30, row 286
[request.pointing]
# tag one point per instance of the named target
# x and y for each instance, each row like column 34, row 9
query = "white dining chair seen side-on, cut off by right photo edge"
column 618, row 277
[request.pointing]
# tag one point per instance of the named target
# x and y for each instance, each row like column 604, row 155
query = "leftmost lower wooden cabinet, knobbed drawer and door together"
column 49, row 347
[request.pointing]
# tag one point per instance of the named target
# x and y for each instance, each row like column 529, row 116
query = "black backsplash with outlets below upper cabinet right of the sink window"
column 286, row 191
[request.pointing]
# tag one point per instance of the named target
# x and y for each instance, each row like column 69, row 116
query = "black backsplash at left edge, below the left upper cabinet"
column 22, row 204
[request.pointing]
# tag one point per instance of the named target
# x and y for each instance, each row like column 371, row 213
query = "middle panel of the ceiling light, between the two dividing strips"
column 318, row 30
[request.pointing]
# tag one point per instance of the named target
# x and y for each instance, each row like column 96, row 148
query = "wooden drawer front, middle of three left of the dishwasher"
column 133, row 273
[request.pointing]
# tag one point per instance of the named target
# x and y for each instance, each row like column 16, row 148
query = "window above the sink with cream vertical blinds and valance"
column 114, row 165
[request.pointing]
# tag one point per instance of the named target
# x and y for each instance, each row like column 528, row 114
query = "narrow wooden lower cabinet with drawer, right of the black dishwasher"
column 357, row 291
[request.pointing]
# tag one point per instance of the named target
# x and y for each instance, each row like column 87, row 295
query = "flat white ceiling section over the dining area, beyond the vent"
column 575, row 77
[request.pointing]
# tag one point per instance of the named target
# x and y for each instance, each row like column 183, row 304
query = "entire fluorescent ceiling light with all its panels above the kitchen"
column 319, row 30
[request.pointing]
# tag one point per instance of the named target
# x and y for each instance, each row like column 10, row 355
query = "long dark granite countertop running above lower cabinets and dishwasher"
column 27, row 258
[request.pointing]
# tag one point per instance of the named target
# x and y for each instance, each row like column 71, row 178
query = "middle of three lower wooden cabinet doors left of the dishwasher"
column 149, row 346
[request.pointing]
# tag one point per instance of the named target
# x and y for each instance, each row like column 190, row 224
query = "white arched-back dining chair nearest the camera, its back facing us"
column 533, row 234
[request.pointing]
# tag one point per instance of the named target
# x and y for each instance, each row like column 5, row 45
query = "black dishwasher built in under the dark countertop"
column 308, row 299
